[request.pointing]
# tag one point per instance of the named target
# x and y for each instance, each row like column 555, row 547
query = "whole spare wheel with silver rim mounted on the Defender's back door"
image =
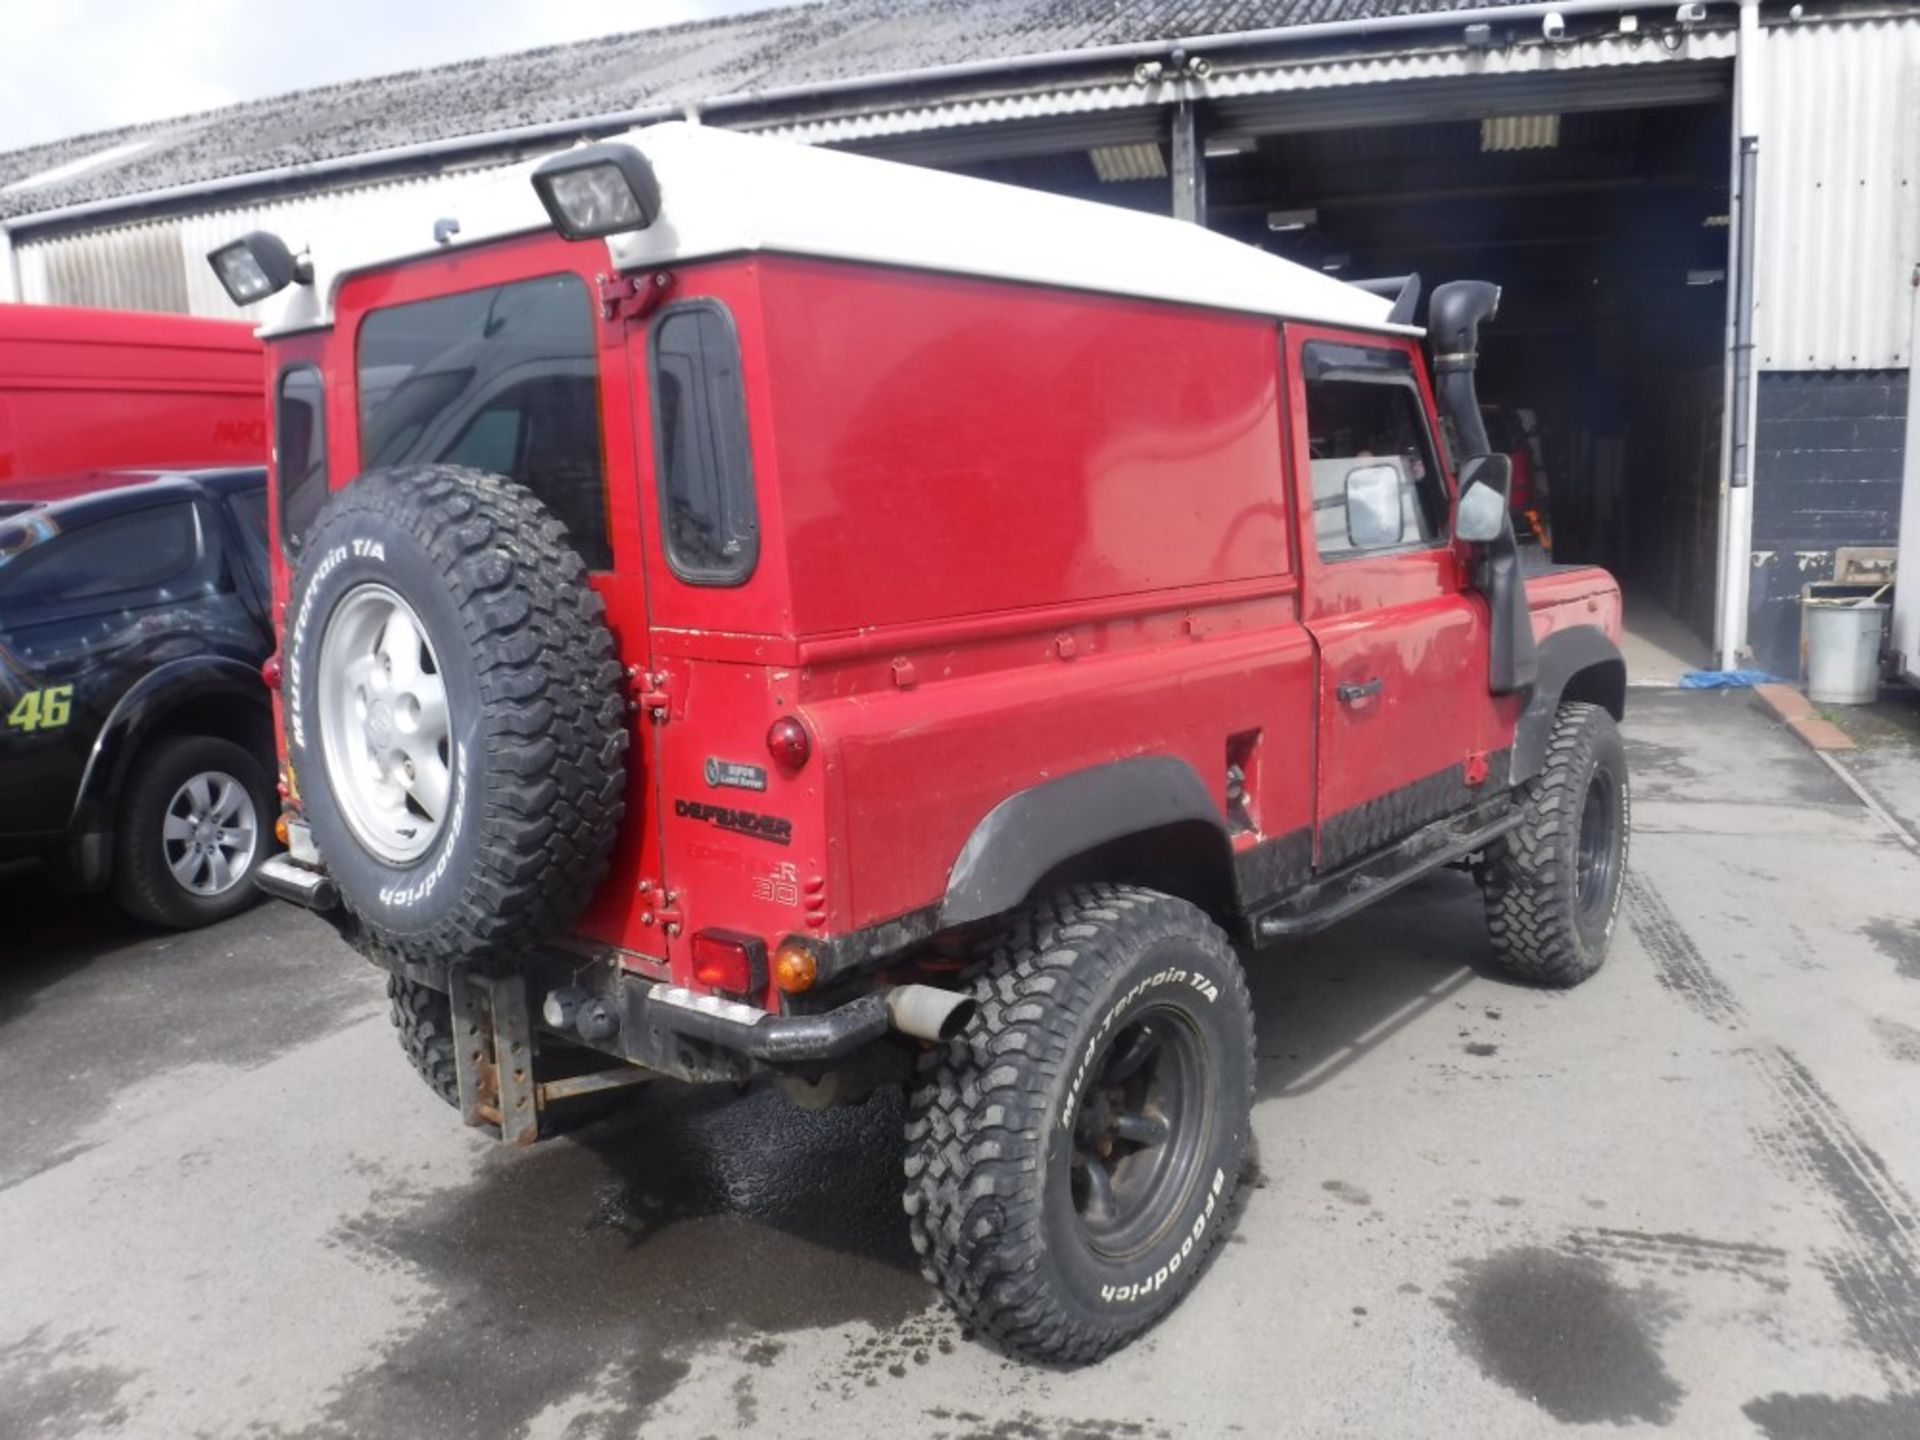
column 517, row 719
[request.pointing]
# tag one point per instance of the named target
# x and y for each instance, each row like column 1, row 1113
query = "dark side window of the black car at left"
column 147, row 558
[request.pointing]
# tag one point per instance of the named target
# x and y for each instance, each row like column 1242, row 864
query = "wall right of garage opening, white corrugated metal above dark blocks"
column 1838, row 254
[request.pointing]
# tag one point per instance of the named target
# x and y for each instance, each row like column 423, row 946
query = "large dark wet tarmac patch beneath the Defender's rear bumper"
column 598, row 1268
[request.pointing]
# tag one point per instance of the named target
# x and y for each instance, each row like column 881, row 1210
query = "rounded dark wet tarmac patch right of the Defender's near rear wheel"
column 1562, row 1333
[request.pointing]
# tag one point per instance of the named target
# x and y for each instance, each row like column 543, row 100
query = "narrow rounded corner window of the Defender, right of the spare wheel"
column 700, row 439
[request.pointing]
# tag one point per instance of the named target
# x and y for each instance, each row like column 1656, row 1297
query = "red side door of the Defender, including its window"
column 1403, row 642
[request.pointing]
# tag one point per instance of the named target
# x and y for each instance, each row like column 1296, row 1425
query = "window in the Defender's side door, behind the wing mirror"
column 1366, row 420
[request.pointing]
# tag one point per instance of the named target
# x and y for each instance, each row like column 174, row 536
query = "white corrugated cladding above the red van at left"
column 162, row 266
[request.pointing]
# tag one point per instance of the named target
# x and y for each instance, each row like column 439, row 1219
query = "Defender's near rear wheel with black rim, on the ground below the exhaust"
column 1101, row 1009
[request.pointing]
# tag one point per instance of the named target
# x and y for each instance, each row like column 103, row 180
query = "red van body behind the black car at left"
column 84, row 389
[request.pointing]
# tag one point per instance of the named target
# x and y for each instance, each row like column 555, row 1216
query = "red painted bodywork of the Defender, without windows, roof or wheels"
column 1005, row 535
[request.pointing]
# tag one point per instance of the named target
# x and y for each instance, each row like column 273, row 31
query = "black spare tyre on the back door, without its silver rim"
column 537, row 725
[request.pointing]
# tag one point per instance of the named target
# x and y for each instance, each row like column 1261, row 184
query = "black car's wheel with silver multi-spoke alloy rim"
column 156, row 821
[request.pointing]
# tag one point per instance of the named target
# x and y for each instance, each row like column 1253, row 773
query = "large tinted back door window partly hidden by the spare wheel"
column 500, row 379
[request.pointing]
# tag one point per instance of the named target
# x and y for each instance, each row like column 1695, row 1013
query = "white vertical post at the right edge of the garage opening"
column 1737, row 491
